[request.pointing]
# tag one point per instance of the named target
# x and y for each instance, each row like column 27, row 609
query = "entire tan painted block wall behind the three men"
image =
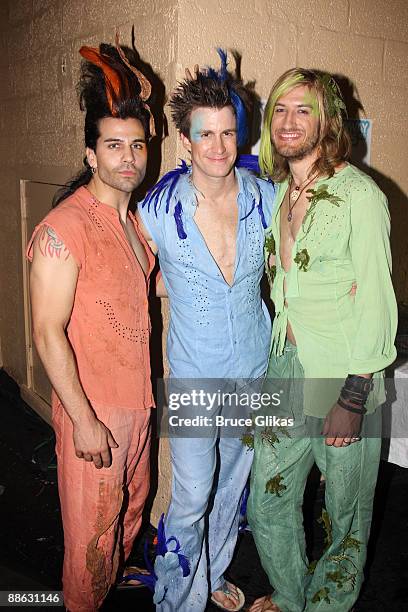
column 41, row 126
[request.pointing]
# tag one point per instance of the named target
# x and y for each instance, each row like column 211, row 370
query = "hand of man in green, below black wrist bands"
column 342, row 427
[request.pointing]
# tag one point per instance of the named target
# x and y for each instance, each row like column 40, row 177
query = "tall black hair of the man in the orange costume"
column 93, row 91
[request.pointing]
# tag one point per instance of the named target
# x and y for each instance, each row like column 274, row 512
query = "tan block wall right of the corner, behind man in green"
column 364, row 40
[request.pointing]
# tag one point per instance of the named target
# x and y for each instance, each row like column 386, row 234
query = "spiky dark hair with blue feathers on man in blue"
column 211, row 89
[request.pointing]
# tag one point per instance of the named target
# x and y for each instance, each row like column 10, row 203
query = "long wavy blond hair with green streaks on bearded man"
column 334, row 145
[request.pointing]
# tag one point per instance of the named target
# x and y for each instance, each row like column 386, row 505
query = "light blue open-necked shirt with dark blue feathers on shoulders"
column 215, row 330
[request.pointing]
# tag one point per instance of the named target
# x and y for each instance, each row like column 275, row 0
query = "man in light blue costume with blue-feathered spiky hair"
column 207, row 223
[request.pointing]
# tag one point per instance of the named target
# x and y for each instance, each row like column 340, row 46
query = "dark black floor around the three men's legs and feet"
column 31, row 534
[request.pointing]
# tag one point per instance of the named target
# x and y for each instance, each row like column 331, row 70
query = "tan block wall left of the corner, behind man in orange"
column 41, row 127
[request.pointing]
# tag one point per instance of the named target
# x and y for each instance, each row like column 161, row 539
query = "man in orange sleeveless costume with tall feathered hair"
column 89, row 280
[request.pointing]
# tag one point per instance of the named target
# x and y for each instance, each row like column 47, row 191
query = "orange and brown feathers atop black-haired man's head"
column 123, row 81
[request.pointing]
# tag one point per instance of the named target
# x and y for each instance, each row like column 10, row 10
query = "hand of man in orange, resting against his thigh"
column 93, row 441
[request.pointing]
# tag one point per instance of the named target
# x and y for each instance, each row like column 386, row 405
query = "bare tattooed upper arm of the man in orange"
column 53, row 280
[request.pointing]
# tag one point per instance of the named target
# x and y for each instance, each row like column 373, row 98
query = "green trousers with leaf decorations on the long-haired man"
column 282, row 462
